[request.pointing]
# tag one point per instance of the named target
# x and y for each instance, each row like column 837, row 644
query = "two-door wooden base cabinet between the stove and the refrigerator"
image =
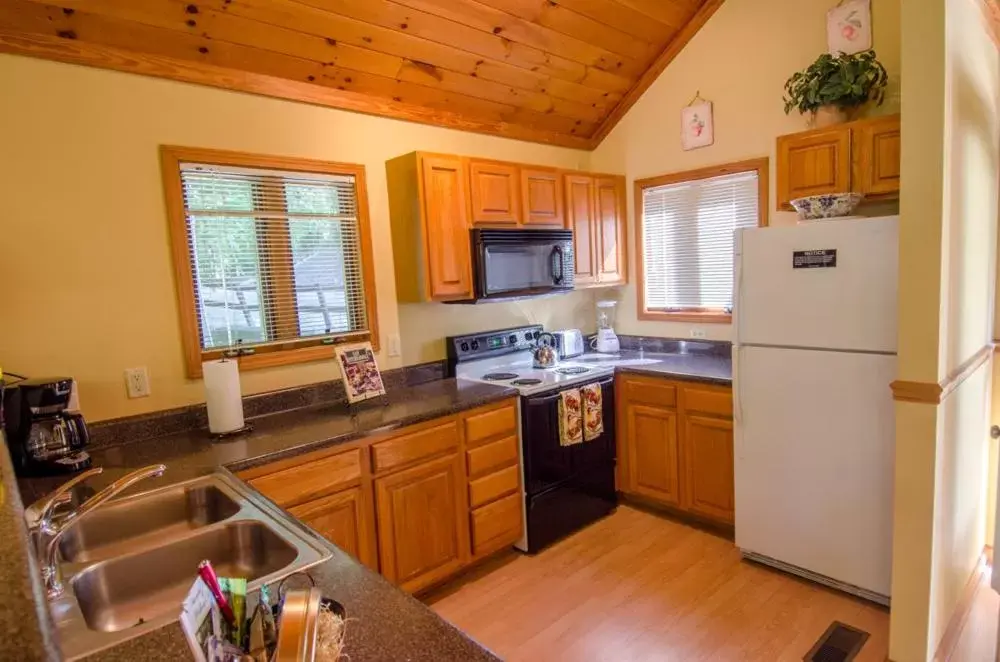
column 676, row 442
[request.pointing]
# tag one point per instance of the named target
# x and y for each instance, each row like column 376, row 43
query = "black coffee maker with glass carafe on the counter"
column 43, row 436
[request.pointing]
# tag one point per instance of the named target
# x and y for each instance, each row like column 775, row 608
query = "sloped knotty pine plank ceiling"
column 555, row 71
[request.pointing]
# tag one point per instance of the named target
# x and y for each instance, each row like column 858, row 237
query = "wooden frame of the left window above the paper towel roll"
column 275, row 353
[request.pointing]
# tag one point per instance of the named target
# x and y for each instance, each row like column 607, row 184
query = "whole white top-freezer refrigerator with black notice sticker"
column 814, row 354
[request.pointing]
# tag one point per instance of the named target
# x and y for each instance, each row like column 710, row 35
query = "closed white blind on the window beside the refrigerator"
column 687, row 232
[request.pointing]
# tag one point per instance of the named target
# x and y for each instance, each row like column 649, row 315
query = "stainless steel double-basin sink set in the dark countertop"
column 131, row 563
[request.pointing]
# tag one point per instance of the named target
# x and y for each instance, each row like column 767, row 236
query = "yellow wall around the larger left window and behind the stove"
column 86, row 286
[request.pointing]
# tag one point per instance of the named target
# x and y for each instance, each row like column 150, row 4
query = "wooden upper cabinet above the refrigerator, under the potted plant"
column 862, row 156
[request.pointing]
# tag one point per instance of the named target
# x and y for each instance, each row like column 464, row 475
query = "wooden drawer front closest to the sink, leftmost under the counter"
column 305, row 482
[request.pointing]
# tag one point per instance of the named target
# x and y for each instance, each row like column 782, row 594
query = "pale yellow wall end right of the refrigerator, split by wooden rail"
column 951, row 168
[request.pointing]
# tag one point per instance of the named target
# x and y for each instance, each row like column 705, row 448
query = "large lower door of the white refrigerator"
column 814, row 444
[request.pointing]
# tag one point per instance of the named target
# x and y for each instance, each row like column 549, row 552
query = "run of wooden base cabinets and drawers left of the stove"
column 417, row 504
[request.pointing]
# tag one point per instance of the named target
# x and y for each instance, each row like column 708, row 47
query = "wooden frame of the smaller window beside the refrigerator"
column 696, row 315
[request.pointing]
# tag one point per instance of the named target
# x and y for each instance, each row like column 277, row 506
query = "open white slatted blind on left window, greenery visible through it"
column 275, row 255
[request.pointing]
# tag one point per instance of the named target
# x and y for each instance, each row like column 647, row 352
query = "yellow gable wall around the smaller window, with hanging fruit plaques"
column 740, row 61
